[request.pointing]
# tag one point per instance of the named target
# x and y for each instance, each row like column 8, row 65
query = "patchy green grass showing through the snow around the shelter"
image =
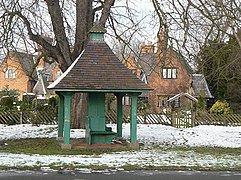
column 49, row 146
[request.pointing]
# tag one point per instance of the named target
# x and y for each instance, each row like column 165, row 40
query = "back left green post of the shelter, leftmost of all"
column 60, row 115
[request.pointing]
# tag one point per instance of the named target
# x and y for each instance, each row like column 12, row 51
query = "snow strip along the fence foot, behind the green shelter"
column 211, row 136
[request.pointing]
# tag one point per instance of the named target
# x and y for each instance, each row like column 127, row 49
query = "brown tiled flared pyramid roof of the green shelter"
column 98, row 69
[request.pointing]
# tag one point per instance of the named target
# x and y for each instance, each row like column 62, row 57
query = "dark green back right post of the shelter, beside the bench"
column 119, row 115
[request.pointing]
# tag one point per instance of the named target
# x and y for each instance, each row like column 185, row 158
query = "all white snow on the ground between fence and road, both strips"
column 159, row 135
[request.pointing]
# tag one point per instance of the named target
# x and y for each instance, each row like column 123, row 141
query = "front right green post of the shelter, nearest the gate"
column 133, row 125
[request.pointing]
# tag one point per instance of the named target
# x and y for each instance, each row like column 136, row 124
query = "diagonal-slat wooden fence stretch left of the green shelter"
column 33, row 117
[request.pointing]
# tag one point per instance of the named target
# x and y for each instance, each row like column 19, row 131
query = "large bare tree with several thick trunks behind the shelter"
column 25, row 25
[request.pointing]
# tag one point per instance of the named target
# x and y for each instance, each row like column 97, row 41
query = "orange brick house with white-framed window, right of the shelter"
column 169, row 74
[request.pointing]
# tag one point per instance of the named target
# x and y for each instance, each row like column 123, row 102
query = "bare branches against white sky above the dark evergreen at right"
column 191, row 24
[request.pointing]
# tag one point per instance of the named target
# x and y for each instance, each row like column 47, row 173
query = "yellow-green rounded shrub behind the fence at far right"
column 221, row 107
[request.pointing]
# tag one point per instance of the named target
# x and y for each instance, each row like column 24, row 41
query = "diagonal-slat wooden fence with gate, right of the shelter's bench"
column 181, row 119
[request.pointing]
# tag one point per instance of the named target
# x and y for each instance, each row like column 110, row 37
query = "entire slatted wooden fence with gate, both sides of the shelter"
column 181, row 119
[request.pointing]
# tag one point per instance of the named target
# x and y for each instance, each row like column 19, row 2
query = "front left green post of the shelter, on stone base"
column 67, row 110
